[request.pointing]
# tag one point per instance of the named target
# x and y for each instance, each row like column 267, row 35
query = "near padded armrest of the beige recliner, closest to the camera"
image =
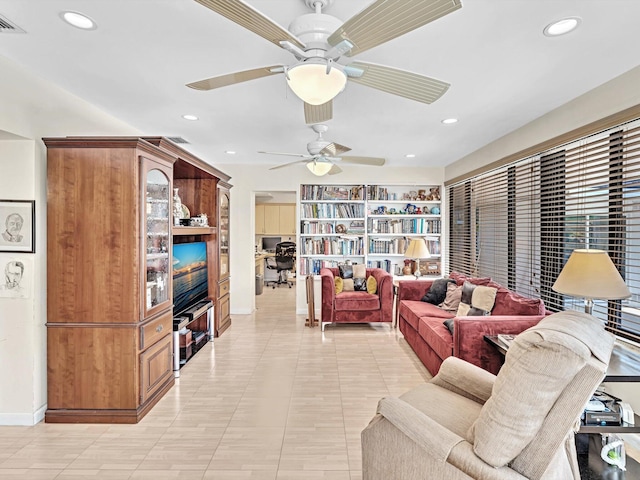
column 425, row 432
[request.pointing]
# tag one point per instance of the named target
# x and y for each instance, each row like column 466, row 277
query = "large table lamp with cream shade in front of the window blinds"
column 590, row 274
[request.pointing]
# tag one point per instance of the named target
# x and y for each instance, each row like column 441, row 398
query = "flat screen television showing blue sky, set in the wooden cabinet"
column 190, row 276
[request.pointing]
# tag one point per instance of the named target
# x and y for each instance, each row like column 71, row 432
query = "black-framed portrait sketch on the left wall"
column 17, row 224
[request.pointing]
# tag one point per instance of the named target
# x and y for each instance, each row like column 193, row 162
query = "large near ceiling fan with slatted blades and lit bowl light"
column 319, row 43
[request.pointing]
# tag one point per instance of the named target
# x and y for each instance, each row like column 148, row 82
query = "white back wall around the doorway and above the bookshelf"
column 247, row 181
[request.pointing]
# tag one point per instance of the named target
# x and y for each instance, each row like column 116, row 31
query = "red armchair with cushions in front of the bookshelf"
column 356, row 307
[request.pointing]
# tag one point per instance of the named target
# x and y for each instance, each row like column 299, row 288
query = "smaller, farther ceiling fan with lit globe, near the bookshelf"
column 323, row 156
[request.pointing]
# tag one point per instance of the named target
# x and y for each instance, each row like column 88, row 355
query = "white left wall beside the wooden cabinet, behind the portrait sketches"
column 29, row 110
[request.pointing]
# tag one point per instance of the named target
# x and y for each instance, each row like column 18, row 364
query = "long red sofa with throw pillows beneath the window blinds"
column 422, row 325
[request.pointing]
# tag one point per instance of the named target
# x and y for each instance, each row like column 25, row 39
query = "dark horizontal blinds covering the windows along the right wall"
column 519, row 223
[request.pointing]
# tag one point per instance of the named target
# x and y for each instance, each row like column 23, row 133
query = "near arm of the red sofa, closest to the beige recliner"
column 469, row 332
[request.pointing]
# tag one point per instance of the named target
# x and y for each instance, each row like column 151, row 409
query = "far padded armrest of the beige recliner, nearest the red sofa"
column 465, row 379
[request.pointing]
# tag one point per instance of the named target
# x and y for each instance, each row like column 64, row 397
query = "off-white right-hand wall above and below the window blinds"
column 612, row 97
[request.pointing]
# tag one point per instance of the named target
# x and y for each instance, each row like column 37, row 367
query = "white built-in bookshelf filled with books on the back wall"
column 370, row 224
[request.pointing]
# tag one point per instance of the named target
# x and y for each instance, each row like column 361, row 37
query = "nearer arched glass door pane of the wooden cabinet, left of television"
column 158, row 240
